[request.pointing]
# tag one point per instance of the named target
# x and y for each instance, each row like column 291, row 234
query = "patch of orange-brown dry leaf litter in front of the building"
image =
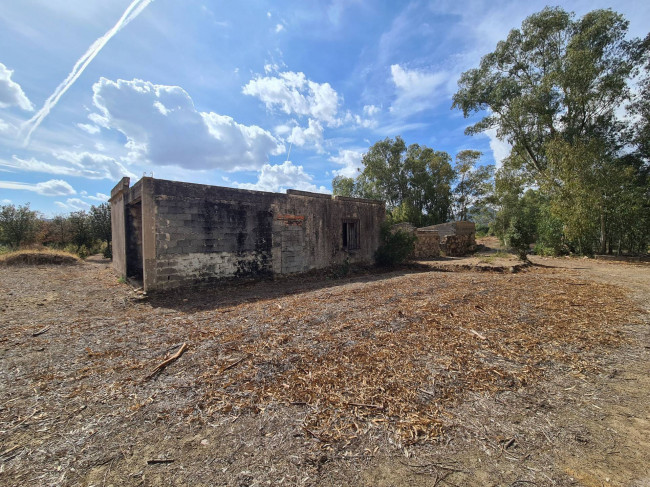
column 400, row 357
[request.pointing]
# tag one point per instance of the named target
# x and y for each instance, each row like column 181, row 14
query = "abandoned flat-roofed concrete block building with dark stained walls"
column 170, row 234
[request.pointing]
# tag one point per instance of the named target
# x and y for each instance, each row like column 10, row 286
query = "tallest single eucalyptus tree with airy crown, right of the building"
column 551, row 89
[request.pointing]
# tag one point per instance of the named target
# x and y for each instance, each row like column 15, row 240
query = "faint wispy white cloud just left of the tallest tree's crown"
column 416, row 90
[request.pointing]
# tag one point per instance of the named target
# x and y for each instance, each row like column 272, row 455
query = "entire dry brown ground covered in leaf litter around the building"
column 414, row 377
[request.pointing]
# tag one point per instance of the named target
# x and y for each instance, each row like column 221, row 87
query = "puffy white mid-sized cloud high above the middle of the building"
column 293, row 93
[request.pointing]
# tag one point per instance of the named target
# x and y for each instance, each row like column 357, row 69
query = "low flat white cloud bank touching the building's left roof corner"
column 81, row 164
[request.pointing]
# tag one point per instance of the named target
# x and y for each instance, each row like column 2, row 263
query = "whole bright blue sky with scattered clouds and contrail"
column 255, row 94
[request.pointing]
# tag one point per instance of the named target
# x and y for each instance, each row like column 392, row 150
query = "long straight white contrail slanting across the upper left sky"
column 132, row 11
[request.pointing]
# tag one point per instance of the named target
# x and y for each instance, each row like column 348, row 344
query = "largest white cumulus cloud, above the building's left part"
column 163, row 127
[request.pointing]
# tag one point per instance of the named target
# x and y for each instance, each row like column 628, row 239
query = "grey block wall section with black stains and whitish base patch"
column 205, row 233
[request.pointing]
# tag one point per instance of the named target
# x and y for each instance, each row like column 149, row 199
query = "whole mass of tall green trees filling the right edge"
column 551, row 89
